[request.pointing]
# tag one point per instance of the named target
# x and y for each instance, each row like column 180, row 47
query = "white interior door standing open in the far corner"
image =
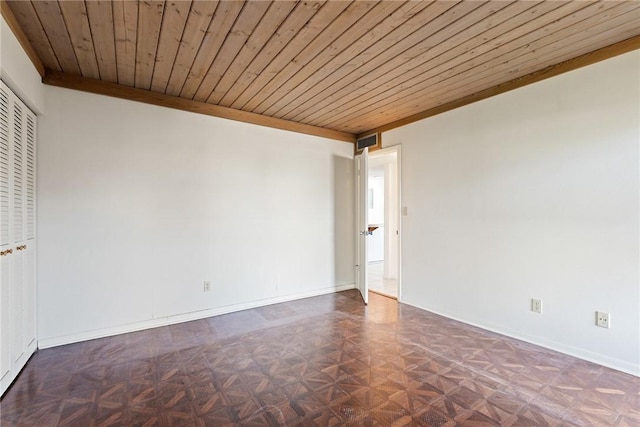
column 362, row 222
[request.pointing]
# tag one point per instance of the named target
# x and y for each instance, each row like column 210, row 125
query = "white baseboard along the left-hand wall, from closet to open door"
column 186, row 317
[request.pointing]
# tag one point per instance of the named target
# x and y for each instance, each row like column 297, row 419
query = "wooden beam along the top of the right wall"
column 590, row 58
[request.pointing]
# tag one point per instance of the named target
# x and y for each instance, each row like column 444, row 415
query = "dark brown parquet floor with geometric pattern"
column 322, row 361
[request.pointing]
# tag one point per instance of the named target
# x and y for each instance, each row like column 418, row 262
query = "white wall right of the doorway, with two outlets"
column 532, row 194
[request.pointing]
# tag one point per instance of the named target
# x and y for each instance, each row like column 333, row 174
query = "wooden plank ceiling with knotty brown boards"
column 348, row 66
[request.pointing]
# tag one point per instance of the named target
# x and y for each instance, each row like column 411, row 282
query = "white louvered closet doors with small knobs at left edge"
column 17, row 235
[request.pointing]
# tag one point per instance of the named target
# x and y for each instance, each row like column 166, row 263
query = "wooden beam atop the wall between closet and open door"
column 69, row 81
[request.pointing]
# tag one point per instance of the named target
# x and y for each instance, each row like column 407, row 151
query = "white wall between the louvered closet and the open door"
column 139, row 205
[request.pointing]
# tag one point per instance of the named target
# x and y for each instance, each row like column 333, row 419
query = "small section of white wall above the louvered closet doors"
column 18, row 72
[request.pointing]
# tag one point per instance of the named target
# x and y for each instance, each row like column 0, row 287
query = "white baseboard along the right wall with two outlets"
column 609, row 362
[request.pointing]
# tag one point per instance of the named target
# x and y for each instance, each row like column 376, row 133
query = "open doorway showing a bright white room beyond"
column 383, row 244
